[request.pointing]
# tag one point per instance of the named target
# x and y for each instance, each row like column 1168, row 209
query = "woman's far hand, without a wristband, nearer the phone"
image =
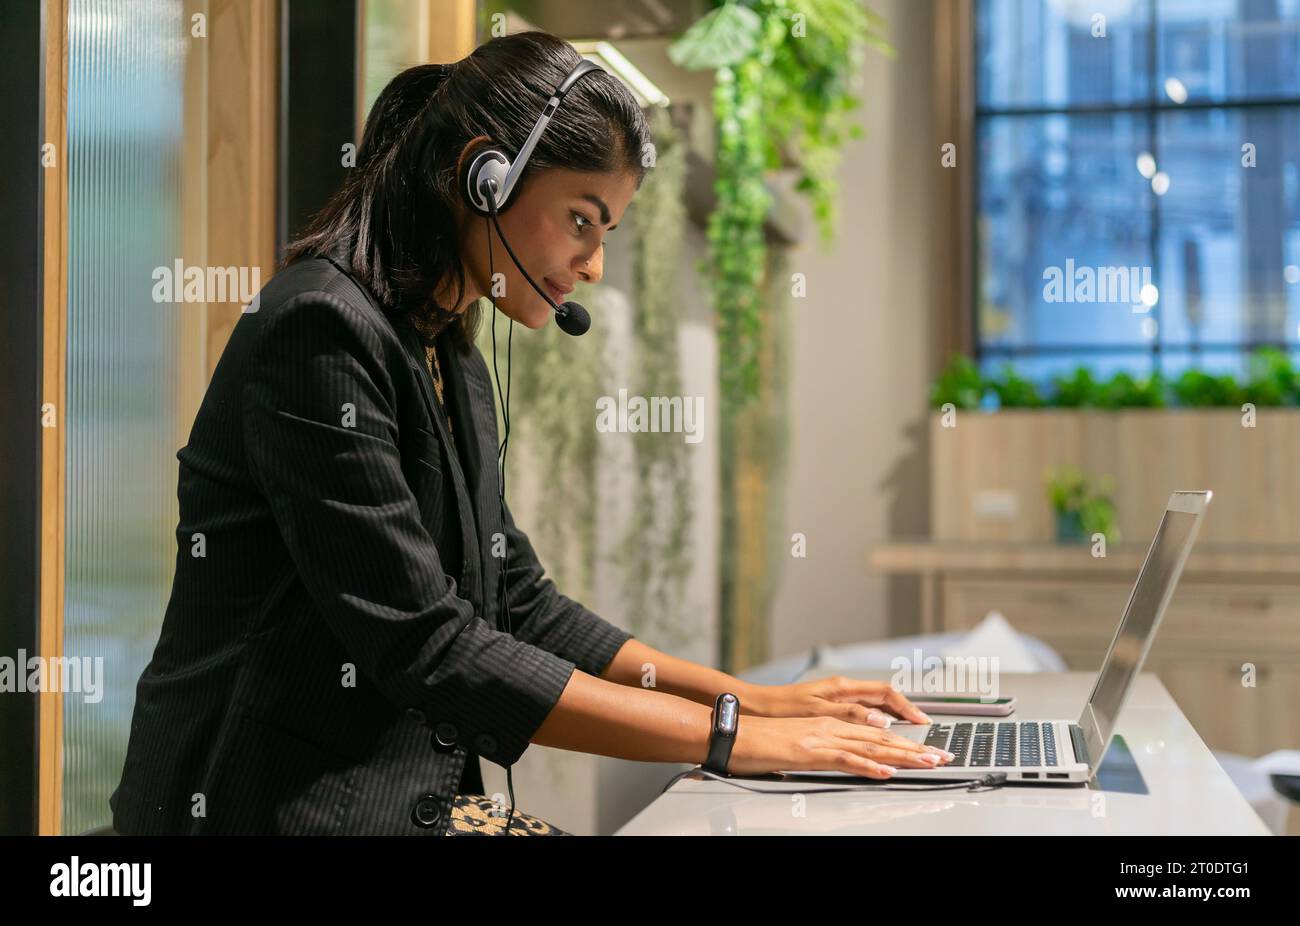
column 855, row 700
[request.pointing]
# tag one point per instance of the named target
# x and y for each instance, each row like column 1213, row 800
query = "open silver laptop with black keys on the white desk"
column 1065, row 751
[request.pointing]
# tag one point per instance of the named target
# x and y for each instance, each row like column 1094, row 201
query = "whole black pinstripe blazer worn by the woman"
column 330, row 660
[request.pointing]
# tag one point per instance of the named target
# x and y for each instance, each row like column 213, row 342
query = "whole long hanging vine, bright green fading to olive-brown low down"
column 786, row 79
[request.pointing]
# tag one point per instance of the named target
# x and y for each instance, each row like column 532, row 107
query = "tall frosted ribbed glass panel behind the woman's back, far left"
column 125, row 98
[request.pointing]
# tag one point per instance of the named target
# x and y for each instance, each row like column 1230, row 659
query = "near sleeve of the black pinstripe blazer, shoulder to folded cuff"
column 320, row 438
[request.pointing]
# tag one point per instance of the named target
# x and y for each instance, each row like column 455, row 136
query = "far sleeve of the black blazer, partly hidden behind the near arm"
column 545, row 618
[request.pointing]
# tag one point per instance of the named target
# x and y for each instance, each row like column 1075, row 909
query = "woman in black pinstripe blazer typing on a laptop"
column 332, row 659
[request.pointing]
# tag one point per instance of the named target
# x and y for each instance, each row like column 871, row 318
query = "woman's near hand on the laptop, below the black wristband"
column 766, row 745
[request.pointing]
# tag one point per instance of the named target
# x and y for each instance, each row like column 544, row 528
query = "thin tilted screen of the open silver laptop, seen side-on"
column 1138, row 629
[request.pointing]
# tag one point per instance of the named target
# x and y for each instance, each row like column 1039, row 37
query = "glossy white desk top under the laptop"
column 1189, row 793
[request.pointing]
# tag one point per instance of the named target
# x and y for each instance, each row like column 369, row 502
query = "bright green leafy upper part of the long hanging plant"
column 786, row 75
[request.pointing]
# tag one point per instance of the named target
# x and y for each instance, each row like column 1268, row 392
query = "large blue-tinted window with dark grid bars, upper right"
column 1137, row 184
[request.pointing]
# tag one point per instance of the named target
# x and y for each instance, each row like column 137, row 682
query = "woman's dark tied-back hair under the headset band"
column 395, row 214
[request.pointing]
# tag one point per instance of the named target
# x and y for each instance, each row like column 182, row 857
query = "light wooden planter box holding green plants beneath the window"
column 989, row 477
